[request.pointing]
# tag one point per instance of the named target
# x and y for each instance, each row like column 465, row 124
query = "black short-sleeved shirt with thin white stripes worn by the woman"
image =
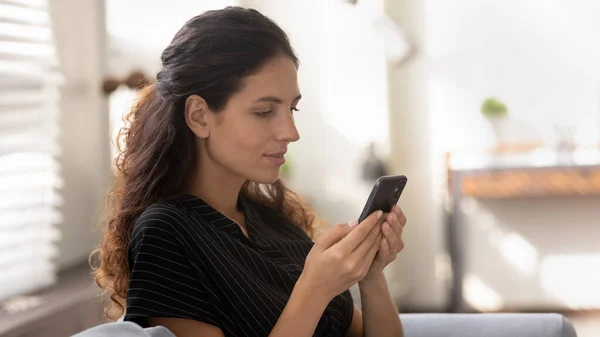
column 187, row 260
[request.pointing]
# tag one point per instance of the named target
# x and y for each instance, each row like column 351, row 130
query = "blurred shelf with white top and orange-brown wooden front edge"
column 538, row 173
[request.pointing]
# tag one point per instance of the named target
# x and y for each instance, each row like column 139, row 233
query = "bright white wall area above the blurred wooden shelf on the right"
column 539, row 57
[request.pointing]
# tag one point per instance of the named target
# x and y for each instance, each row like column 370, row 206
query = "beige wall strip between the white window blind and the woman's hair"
column 79, row 34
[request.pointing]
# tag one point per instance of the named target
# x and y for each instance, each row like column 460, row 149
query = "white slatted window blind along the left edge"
column 29, row 130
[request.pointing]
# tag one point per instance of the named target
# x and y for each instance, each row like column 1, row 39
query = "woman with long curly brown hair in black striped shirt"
column 203, row 237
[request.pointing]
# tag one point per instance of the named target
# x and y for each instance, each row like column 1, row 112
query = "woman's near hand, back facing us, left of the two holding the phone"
column 342, row 256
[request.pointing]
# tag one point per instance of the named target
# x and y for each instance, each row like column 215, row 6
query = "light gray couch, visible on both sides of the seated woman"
column 415, row 325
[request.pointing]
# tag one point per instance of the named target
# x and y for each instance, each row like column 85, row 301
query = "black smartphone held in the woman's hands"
column 384, row 195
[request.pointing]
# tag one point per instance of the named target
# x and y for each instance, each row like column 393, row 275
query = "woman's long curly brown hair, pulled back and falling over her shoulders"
column 209, row 57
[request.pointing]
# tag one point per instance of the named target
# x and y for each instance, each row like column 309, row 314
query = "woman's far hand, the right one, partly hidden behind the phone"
column 391, row 242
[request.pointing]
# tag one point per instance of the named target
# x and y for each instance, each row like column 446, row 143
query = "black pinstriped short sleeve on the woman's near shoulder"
column 163, row 282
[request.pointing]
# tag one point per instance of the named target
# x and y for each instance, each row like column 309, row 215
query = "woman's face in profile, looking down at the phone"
column 249, row 137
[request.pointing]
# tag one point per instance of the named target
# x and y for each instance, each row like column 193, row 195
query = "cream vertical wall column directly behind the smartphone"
column 423, row 265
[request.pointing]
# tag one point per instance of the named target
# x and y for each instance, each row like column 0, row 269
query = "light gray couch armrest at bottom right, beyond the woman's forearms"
column 487, row 325
